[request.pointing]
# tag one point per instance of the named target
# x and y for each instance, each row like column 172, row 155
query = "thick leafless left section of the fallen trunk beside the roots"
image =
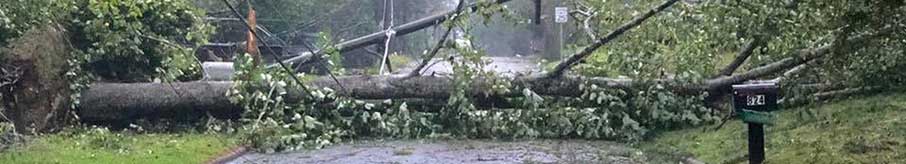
column 127, row 101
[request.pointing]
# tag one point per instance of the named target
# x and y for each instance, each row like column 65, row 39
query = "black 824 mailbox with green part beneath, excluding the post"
column 754, row 101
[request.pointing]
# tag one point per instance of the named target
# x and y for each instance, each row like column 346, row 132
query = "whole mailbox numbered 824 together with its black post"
column 754, row 102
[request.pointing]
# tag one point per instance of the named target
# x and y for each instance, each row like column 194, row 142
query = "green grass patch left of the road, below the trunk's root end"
column 99, row 146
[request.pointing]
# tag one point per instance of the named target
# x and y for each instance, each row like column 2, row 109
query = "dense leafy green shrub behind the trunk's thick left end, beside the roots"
column 137, row 40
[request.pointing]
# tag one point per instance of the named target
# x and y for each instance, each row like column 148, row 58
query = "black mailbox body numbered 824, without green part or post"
column 761, row 97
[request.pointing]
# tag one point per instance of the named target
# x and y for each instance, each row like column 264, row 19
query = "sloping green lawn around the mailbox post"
column 860, row 130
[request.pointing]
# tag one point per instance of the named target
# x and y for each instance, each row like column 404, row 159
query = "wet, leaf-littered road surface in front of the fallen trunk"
column 458, row 151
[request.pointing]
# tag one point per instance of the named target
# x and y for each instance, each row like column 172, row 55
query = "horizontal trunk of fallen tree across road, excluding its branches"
column 127, row 101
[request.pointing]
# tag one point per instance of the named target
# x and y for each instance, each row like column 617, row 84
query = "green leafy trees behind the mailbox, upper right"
column 695, row 39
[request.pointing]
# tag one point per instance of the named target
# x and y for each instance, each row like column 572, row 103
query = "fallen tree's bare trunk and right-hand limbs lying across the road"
column 112, row 101
